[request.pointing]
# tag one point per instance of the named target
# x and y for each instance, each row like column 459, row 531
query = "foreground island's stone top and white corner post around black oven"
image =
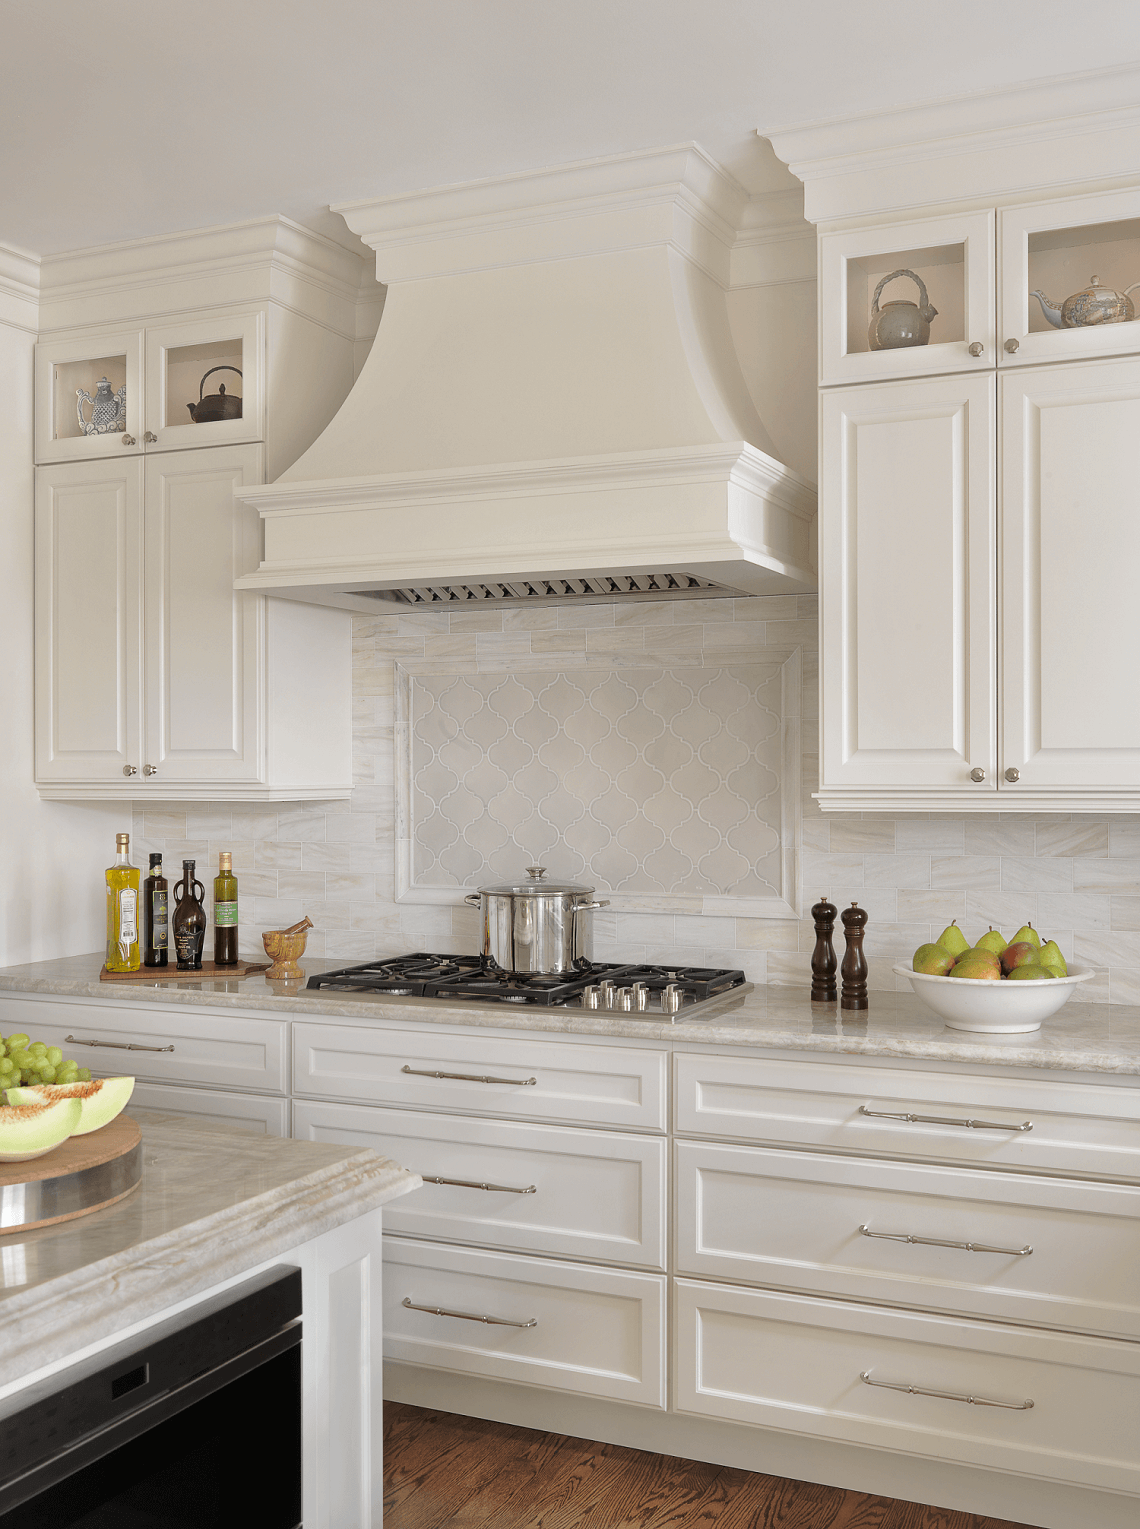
column 215, row 1207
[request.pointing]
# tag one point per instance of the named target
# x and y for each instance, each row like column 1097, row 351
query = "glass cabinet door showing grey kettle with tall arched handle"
column 907, row 299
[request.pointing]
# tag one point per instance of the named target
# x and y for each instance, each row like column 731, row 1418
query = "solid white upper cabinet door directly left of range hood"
column 204, row 641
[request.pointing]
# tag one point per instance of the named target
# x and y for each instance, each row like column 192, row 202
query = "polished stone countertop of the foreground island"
column 213, row 1203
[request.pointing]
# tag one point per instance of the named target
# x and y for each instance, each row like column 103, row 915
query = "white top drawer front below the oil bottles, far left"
column 178, row 1045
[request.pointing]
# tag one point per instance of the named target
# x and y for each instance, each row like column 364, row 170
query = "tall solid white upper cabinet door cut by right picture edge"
column 1070, row 612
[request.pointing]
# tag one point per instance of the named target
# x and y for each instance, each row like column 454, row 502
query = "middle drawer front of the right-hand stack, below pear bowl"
column 794, row 1219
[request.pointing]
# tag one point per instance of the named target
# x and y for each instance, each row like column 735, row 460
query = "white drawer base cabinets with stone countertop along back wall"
column 776, row 1236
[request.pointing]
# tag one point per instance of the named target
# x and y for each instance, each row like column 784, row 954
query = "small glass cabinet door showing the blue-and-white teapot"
column 89, row 397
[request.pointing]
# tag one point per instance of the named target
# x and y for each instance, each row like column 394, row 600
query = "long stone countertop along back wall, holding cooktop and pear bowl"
column 1080, row 1039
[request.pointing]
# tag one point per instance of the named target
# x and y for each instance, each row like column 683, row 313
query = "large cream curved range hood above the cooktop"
column 552, row 409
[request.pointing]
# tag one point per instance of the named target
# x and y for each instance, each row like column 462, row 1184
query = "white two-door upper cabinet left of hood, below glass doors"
column 154, row 675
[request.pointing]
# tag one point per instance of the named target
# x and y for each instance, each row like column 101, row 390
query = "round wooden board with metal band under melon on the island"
column 82, row 1175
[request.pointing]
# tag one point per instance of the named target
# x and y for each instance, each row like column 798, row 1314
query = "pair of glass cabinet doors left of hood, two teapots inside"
column 105, row 394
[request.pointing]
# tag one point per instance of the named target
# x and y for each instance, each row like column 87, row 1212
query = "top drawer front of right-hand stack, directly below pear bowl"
column 1074, row 1128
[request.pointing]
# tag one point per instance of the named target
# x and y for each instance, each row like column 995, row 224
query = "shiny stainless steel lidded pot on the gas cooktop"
column 537, row 927
